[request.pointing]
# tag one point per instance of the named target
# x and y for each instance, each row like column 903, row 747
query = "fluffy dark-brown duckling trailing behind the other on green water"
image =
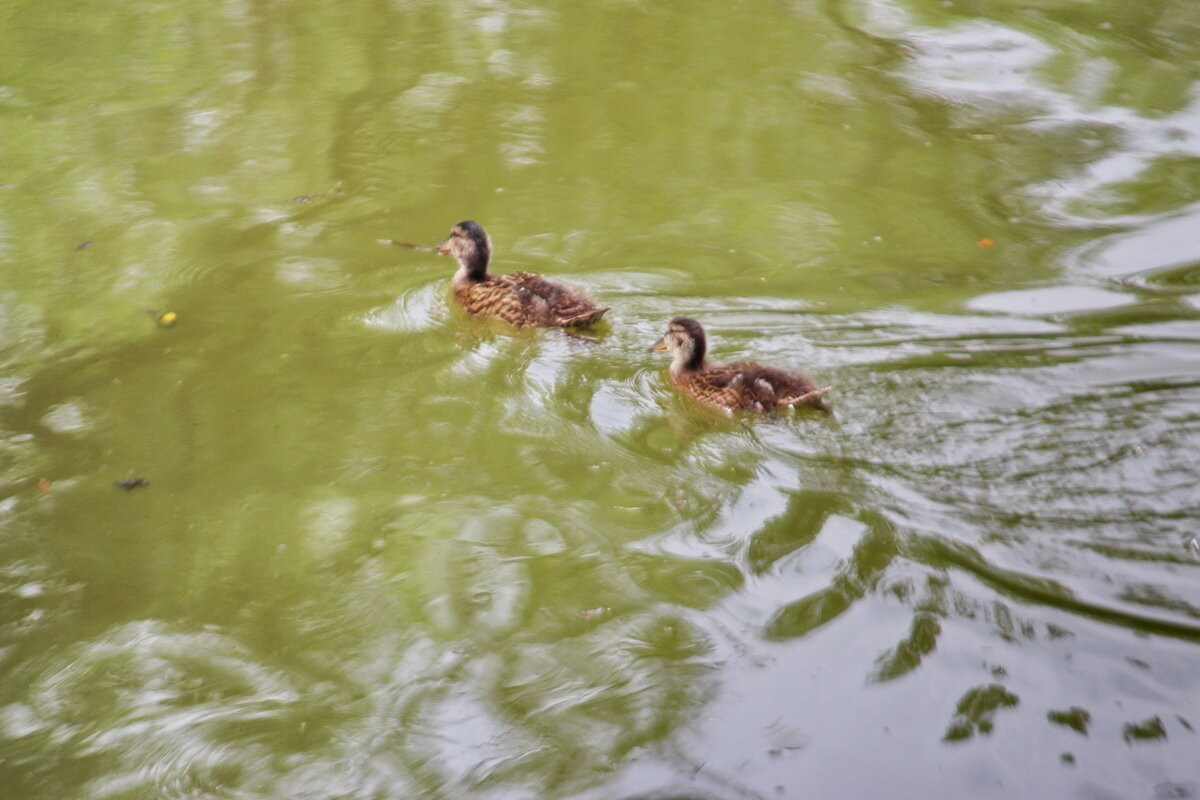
column 737, row 387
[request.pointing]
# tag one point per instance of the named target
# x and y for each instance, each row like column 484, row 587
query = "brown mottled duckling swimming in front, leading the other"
column 521, row 299
